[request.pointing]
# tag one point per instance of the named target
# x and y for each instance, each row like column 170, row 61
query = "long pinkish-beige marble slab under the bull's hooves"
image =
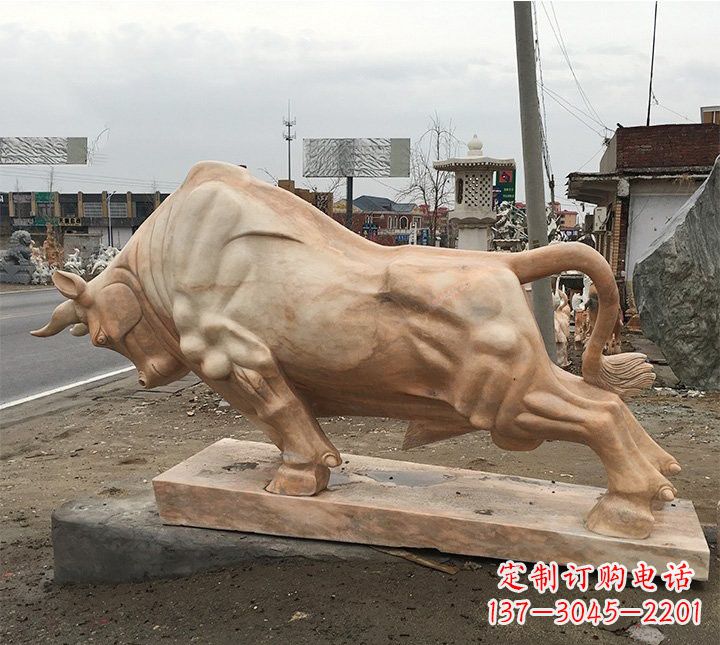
column 404, row 504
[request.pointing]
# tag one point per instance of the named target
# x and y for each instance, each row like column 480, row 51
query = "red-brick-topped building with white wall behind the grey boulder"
column 645, row 175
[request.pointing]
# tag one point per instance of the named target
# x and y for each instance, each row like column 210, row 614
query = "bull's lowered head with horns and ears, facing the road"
column 109, row 311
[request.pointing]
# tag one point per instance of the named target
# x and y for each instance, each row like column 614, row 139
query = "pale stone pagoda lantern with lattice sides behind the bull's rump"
column 473, row 212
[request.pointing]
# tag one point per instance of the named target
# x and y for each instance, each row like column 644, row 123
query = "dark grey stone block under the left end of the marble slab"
column 124, row 540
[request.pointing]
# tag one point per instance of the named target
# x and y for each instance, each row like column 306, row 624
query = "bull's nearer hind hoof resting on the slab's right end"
column 618, row 515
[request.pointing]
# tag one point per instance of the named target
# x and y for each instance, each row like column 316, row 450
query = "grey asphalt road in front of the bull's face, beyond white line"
column 30, row 365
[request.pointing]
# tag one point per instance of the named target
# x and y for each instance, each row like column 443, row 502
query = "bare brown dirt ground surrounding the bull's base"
column 115, row 445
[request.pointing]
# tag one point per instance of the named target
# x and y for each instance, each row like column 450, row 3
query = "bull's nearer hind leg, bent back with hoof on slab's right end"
column 634, row 484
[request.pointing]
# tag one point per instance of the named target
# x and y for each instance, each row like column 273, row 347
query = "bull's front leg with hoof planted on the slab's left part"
column 241, row 367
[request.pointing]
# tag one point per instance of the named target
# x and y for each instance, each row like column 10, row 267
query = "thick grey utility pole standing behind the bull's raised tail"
column 532, row 165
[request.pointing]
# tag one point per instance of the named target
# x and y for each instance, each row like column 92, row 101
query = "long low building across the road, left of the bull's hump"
column 78, row 214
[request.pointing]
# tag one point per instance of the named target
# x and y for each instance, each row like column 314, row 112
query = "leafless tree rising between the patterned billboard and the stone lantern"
column 432, row 187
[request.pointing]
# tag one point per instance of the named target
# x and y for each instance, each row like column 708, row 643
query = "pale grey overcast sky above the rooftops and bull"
column 177, row 82
